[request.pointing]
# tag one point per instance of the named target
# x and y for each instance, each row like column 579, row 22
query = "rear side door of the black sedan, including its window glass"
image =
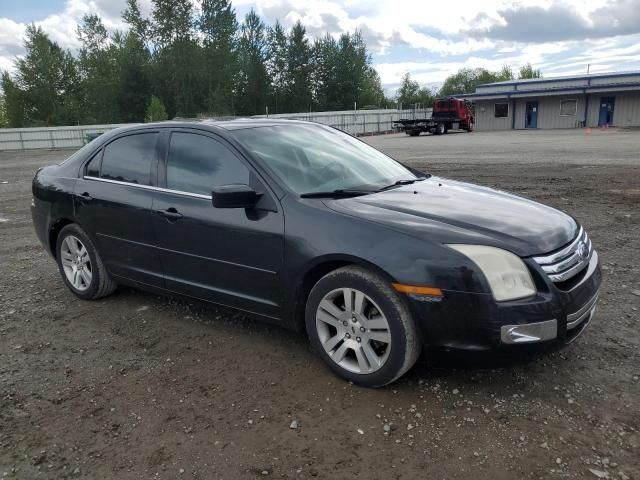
column 112, row 201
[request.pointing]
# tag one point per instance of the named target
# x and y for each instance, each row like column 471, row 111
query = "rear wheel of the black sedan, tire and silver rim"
column 83, row 273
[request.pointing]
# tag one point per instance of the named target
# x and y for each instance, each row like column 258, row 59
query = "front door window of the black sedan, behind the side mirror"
column 197, row 163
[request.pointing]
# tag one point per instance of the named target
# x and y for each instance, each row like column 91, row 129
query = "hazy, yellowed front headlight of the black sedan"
column 506, row 273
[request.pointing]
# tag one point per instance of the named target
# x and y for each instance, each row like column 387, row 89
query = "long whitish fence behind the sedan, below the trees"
column 361, row 122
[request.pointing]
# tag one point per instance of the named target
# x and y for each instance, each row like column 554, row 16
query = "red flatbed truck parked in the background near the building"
column 448, row 114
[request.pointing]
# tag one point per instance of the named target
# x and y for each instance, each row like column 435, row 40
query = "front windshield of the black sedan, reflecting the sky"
column 311, row 158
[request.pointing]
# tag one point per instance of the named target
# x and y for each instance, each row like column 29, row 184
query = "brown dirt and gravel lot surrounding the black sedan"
column 136, row 386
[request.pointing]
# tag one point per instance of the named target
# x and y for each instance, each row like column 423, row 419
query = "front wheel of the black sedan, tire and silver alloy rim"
column 371, row 344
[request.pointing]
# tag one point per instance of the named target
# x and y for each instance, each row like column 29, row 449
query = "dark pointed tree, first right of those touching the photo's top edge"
column 253, row 82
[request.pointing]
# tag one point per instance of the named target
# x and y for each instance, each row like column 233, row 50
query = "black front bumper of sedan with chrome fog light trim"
column 473, row 321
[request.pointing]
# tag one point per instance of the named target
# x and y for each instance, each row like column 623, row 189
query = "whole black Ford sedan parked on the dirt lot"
column 311, row 228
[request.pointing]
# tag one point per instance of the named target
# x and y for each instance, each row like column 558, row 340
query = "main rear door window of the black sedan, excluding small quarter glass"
column 128, row 159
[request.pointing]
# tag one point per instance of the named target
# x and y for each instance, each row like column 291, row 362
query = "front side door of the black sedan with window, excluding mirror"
column 230, row 256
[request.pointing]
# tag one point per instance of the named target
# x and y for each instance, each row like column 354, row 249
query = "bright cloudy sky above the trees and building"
column 429, row 39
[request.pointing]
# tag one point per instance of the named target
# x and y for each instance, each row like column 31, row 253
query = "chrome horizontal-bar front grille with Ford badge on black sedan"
column 568, row 261
